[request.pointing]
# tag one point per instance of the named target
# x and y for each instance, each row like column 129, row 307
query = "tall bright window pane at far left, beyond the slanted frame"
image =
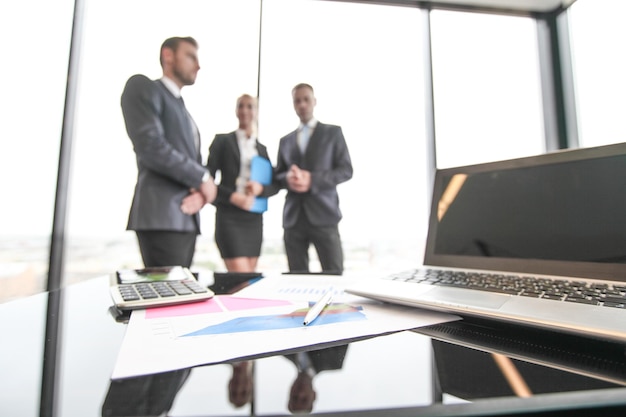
column 34, row 76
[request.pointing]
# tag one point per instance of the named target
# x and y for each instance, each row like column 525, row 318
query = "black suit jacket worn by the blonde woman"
column 224, row 156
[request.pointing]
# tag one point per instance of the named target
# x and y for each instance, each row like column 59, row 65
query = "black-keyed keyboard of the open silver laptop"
column 524, row 286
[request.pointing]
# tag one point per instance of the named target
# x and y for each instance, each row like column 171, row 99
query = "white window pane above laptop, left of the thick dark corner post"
column 487, row 88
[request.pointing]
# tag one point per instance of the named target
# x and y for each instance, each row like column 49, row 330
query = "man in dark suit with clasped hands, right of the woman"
column 312, row 161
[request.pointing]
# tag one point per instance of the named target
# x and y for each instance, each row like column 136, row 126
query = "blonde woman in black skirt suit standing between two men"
column 238, row 231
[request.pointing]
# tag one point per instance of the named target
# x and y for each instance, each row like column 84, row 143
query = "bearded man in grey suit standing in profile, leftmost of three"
column 167, row 147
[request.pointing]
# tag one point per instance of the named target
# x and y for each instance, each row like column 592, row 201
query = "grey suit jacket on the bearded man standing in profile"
column 168, row 163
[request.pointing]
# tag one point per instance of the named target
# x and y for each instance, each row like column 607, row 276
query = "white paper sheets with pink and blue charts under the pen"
column 264, row 318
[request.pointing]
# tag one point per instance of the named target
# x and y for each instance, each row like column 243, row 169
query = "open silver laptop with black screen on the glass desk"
column 538, row 241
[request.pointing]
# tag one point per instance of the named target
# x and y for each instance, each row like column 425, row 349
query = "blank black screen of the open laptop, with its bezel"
column 562, row 213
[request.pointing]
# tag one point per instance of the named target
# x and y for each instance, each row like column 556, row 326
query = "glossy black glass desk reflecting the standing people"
column 443, row 370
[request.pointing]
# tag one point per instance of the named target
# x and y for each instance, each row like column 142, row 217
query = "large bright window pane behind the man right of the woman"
column 364, row 62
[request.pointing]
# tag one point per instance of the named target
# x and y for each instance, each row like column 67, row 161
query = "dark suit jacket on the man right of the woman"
column 328, row 160
